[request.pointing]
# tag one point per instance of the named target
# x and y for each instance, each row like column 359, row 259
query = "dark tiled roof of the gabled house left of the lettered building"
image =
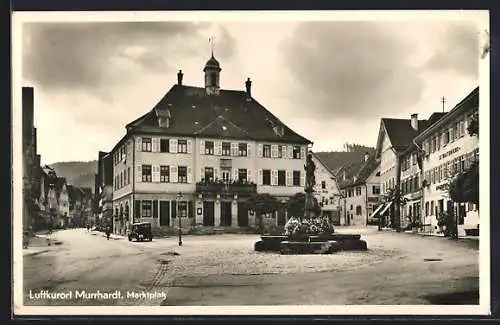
column 400, row 132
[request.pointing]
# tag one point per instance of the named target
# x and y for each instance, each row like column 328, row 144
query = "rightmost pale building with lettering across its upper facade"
column 449, row 149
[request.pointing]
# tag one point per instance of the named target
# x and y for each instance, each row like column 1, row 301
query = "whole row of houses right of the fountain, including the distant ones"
column 417, row 158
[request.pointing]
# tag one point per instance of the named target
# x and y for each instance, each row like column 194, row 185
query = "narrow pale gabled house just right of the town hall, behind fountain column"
column 327, row 191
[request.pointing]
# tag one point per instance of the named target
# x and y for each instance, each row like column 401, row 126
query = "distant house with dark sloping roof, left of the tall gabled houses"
column 360, row 187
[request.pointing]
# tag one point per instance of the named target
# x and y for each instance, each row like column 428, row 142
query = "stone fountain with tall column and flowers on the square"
column 309, row 234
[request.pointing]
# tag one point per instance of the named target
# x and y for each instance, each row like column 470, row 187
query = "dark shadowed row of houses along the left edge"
column 49, row 201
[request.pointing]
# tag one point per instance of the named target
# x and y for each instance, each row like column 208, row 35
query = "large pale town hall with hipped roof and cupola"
column 200, row 153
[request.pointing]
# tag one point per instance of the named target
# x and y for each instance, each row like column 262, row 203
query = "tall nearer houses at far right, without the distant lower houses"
column 421, row 156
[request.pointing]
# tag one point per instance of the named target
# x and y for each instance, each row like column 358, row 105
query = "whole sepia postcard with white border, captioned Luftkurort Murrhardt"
column 255, row 163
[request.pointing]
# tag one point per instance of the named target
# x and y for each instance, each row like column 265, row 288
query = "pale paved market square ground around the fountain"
column 224, row 270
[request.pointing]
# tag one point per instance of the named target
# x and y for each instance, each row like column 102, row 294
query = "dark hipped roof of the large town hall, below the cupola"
column 229, row 114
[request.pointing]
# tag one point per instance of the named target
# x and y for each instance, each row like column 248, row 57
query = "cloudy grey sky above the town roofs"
column 329, row 81
